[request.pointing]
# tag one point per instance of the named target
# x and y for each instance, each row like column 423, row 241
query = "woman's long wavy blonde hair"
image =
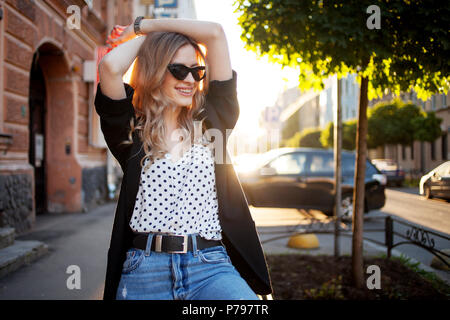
column 149, row 71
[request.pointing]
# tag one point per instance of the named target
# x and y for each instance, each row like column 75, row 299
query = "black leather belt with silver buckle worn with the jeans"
column 172, row 243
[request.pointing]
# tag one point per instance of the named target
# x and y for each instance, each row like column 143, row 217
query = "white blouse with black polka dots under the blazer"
column 179, row 197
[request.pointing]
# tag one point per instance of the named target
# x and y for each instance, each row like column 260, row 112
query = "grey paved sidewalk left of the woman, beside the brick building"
column 80, row 239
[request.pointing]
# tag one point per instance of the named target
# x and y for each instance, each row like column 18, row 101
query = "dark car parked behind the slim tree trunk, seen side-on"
column 304, row 178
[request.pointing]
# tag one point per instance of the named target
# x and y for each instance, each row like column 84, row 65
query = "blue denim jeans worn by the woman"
column 198, row 275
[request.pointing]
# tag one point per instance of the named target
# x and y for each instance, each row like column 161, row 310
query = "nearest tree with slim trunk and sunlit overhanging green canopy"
column 391, row 45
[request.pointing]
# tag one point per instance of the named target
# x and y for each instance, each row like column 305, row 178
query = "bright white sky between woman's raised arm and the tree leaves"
column 259, row 82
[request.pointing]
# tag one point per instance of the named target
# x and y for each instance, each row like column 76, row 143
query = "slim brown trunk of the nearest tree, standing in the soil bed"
column 359, row 189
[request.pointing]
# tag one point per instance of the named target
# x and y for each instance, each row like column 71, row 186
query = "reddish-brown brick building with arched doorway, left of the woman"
column 52, row 154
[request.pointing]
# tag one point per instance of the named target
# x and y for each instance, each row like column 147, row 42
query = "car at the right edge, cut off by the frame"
column 436, row 183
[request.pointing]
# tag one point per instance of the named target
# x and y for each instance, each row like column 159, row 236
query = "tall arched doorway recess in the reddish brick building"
column 53, row 132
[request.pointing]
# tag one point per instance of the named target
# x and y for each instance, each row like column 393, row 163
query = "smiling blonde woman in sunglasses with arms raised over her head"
column 182, row 228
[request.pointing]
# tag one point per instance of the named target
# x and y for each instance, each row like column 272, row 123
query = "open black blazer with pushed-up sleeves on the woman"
column 221, row 111
